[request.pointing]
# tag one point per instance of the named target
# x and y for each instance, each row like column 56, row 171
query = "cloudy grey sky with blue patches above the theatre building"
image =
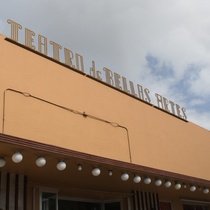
column 163, row 45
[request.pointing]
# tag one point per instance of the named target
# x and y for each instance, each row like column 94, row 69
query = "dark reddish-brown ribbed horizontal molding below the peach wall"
column 25, row 143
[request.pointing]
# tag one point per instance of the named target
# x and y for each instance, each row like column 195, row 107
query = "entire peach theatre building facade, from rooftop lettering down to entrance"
column 68, row 140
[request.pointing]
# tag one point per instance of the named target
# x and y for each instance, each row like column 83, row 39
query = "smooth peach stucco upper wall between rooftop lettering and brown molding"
column 52, row 114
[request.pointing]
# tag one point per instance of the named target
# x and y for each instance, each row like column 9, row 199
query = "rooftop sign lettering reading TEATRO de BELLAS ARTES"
column 76, row 62
